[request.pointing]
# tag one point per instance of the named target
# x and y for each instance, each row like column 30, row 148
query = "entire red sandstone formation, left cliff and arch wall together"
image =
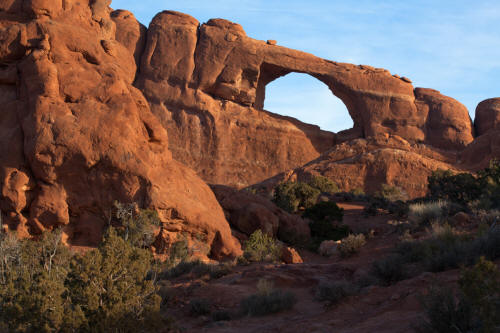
column 89, row 96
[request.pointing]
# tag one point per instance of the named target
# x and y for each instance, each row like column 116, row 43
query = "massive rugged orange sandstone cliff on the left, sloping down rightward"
column 76, row 135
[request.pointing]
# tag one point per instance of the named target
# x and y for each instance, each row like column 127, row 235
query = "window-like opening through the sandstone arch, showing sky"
column 303, row 97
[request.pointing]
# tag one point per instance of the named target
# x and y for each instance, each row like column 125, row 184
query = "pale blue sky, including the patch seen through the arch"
column 451, row 46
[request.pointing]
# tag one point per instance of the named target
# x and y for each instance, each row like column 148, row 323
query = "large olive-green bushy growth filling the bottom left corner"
column 49, row 289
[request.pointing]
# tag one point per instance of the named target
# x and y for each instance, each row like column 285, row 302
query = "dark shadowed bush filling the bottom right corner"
column 474, row 308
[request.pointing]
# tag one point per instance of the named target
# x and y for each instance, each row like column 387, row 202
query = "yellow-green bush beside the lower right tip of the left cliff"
column 262, row 247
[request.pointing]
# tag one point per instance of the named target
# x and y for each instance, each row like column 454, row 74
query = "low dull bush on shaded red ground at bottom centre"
column 267, row 300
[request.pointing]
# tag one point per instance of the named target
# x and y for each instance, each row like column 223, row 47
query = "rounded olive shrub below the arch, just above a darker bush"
column 290, row 196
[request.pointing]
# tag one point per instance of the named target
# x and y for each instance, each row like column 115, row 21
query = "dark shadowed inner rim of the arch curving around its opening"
column 270, row 73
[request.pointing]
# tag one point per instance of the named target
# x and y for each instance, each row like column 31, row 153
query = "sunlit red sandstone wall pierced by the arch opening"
column 207, row 85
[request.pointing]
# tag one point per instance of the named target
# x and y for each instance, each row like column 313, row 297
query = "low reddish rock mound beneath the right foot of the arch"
column 366, row 164
